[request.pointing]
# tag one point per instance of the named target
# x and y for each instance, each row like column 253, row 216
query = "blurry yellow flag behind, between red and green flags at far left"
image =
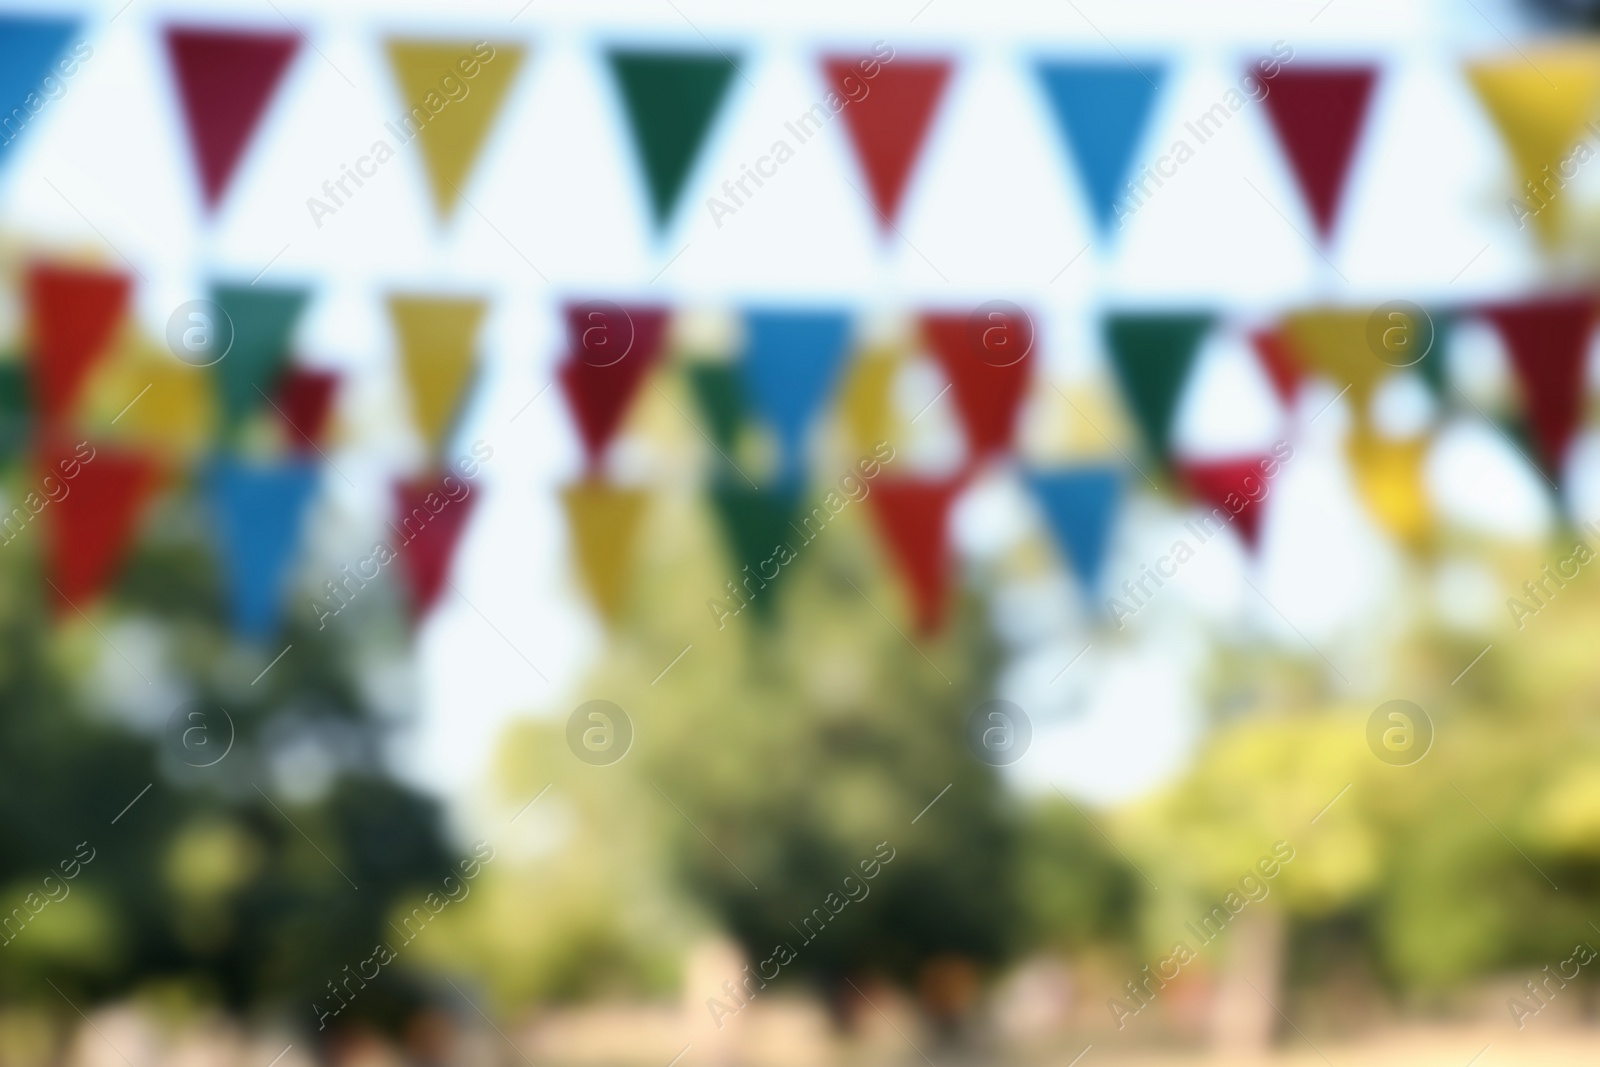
column 145, row 396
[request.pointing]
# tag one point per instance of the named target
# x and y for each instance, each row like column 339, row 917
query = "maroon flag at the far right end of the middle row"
column 1548, row 342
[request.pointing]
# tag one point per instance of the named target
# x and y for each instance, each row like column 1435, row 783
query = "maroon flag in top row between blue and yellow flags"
column 1318, row 114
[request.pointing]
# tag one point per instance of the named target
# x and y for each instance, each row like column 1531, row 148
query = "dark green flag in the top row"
column 671, row 100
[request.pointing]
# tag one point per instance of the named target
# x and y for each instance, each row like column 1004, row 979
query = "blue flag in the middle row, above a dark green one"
column 790, row 366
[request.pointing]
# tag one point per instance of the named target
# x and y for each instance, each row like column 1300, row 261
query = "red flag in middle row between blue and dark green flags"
column 988, row 385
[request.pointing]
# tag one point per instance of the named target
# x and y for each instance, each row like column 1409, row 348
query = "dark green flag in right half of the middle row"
column 1153, row 356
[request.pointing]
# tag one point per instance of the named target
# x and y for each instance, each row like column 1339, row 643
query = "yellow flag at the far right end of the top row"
column 1540, row 105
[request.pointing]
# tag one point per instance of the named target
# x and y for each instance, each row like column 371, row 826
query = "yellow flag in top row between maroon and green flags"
column 452, row 94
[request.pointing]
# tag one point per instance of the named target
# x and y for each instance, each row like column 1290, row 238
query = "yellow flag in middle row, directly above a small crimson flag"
column 438, row 356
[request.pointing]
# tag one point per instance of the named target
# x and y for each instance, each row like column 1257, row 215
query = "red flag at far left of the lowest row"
column 89, row 527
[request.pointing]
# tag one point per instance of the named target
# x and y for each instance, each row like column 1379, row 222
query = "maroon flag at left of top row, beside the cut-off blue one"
column 225, row 82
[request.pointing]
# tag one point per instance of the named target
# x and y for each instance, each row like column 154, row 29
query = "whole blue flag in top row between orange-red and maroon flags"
column 1102, row 110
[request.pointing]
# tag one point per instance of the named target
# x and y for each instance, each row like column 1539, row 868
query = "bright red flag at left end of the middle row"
column 73, row 314
